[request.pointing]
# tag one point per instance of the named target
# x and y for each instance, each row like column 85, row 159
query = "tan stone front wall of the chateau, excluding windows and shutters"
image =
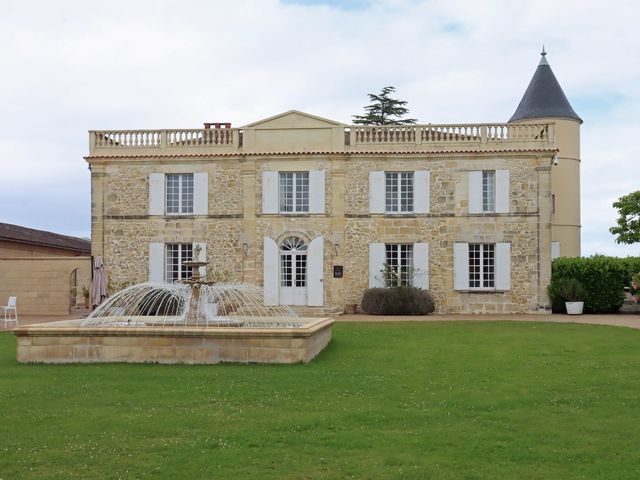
column 234, row 226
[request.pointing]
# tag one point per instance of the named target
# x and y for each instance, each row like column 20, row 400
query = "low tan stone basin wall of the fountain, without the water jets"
column 68, row 342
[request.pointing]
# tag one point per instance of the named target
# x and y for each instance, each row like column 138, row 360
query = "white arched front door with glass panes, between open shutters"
column 293, row 271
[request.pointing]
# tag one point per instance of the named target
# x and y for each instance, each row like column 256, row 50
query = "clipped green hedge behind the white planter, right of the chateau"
column 604, row 279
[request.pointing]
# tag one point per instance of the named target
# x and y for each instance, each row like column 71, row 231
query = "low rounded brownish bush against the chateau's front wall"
column 397, row 301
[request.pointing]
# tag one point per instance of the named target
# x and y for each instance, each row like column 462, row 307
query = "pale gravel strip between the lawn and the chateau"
column 630, row 320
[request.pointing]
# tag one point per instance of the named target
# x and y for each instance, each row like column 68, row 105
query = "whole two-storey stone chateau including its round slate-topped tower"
column 312, row 209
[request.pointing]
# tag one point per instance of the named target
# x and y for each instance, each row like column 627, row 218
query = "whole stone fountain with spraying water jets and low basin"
column 191, row 321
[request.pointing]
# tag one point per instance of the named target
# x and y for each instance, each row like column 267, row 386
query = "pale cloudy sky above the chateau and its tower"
column 70, row 66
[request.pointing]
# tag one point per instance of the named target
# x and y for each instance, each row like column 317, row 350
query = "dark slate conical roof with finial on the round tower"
column 544, row 96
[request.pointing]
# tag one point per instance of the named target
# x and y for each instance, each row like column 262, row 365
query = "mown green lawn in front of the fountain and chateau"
column 459, row 400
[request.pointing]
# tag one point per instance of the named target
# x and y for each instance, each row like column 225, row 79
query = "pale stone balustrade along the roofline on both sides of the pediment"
column 353, row 138
